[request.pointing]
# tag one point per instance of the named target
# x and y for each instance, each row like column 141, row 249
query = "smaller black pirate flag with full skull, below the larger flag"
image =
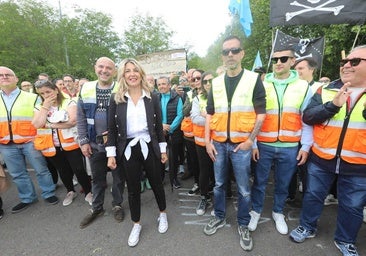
column 303, row 47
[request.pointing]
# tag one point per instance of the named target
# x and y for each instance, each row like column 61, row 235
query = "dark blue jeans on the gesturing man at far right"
column 351, row 200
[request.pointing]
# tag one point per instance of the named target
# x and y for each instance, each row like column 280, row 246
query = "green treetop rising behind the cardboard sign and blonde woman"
column 145, row 34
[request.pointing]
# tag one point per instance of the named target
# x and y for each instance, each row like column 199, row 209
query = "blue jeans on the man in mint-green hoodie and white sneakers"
column 285, row 164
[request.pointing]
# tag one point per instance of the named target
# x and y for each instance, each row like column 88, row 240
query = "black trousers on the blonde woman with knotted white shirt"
column 133, row 169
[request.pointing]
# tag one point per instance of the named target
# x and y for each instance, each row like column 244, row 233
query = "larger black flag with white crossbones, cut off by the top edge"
column 295, row 12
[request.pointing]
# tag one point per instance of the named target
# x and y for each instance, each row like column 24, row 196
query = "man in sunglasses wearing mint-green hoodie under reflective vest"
column 278, row 141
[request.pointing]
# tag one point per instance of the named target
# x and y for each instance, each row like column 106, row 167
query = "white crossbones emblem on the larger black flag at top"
column 324, row 7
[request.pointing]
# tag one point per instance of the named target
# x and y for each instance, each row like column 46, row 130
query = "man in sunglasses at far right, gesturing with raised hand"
column 339, row 148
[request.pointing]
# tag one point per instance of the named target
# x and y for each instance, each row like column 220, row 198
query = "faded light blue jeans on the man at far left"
column 15, row 156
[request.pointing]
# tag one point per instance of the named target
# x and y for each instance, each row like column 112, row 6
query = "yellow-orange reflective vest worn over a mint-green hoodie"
column 283, row 123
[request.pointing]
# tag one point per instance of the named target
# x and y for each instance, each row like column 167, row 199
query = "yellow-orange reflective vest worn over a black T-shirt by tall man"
column 236, row 121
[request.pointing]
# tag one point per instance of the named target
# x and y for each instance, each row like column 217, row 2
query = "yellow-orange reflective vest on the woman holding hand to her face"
column 44, row 138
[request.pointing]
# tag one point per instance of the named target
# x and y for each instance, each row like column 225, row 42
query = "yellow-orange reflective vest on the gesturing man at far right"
column 327, row 134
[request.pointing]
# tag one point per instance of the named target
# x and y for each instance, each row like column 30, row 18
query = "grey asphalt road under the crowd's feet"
column 44, row 229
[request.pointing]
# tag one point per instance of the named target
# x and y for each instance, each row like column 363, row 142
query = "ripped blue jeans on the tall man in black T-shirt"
column 241, row 167
